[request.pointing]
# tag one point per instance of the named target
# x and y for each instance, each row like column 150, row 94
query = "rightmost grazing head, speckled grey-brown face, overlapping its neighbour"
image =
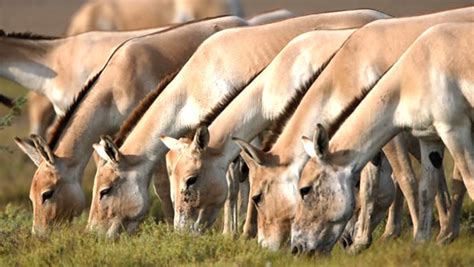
column 327, row 199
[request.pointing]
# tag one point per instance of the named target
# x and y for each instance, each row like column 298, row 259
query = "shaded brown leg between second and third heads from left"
column 161, row 185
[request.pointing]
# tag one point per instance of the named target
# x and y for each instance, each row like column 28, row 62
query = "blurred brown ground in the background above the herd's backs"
column 51, row 16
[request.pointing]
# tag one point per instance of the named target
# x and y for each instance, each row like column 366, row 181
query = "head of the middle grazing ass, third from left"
column 198, row 188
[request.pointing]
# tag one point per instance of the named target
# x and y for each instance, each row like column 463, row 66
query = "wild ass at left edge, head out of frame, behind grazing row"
column 55, row 67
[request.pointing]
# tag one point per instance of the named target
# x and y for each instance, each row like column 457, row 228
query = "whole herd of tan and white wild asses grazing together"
column 304, row 125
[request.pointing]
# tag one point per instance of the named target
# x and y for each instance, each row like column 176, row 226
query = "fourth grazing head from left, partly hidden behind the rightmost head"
column 274, row 193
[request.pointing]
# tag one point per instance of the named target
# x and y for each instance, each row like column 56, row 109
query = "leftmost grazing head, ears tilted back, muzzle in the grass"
column 56, row 195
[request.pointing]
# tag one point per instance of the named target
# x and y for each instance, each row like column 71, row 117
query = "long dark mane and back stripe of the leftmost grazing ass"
column 60, row 126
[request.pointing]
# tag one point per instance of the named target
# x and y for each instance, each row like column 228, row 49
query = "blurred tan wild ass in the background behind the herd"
column 126, row 15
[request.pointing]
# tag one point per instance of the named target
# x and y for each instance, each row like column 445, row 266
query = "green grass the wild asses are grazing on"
column 158, row 244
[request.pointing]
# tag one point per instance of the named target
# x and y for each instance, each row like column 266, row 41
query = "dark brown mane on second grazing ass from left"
column 142, row 107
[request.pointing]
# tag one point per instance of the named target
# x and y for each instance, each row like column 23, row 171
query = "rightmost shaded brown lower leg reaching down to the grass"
column 451, row 232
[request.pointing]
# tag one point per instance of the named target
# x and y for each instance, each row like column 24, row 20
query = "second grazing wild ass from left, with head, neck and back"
column 191, row 99
